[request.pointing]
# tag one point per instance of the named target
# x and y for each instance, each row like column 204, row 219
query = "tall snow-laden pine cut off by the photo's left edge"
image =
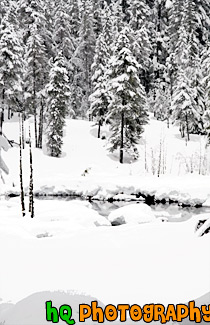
column 11, row 67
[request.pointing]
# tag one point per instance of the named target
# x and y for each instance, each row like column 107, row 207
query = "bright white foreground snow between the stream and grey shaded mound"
column 158, row 262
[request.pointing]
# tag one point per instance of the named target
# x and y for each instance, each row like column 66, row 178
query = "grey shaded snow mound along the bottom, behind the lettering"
column 31, row 310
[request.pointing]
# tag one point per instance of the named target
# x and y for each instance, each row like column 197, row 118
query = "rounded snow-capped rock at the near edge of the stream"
column 132, row 213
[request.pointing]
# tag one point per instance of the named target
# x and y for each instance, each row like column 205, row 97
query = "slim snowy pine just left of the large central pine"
column 98, row 98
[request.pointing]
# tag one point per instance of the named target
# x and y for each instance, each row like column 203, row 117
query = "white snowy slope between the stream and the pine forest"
column 88, row 169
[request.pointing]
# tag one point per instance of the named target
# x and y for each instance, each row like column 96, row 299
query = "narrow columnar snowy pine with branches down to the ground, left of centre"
column 58, row 99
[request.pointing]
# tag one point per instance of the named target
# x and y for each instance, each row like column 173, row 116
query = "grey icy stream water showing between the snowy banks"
column 173, row 212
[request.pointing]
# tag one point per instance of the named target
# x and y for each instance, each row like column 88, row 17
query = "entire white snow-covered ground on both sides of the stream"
column 69, row 246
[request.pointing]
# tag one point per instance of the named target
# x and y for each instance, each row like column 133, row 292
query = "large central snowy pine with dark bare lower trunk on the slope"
column 127, row 107
